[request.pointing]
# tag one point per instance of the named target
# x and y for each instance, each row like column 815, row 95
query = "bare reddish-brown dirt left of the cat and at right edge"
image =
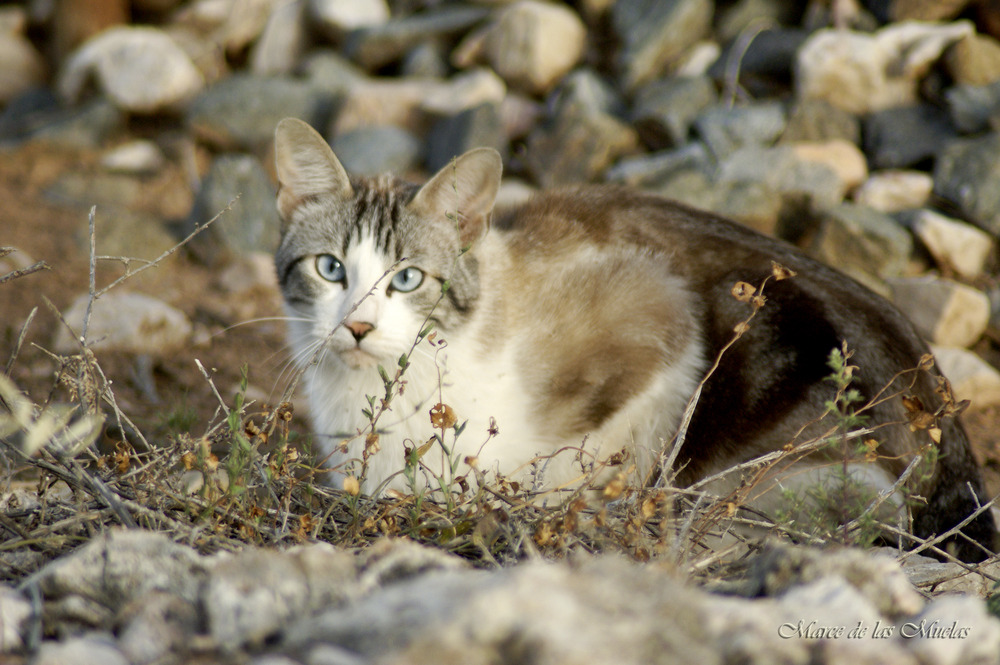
column 224, row 341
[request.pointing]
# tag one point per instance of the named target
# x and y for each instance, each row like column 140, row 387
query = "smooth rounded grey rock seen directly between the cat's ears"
column 374, row 150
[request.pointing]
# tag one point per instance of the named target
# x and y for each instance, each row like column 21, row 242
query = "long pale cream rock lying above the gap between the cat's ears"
column 412, row 103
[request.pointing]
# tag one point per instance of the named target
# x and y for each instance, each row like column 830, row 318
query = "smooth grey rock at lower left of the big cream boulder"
column 725, row 129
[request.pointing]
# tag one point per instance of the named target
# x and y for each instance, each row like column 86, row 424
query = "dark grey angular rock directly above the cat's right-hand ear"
column 454, row 135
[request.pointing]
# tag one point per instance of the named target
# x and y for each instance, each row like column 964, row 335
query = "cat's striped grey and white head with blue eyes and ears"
column 363, row 262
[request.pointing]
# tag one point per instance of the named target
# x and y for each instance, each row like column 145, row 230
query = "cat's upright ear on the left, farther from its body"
column 306, row 166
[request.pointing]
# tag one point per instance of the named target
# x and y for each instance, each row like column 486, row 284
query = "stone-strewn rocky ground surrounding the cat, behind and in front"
column 866, row 133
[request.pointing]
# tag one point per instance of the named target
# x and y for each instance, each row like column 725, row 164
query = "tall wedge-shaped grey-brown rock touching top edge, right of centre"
column 654, row 35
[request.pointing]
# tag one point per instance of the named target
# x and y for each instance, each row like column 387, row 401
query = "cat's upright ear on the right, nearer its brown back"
column 464, row 193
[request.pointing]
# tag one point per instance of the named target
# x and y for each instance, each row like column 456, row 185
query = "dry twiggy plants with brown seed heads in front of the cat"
column 268, row 490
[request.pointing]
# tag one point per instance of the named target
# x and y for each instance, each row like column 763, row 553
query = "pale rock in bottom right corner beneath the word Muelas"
column 943, row 633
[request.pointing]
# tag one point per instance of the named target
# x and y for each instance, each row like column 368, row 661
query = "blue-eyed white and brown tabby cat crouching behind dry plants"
column 581, row 323
